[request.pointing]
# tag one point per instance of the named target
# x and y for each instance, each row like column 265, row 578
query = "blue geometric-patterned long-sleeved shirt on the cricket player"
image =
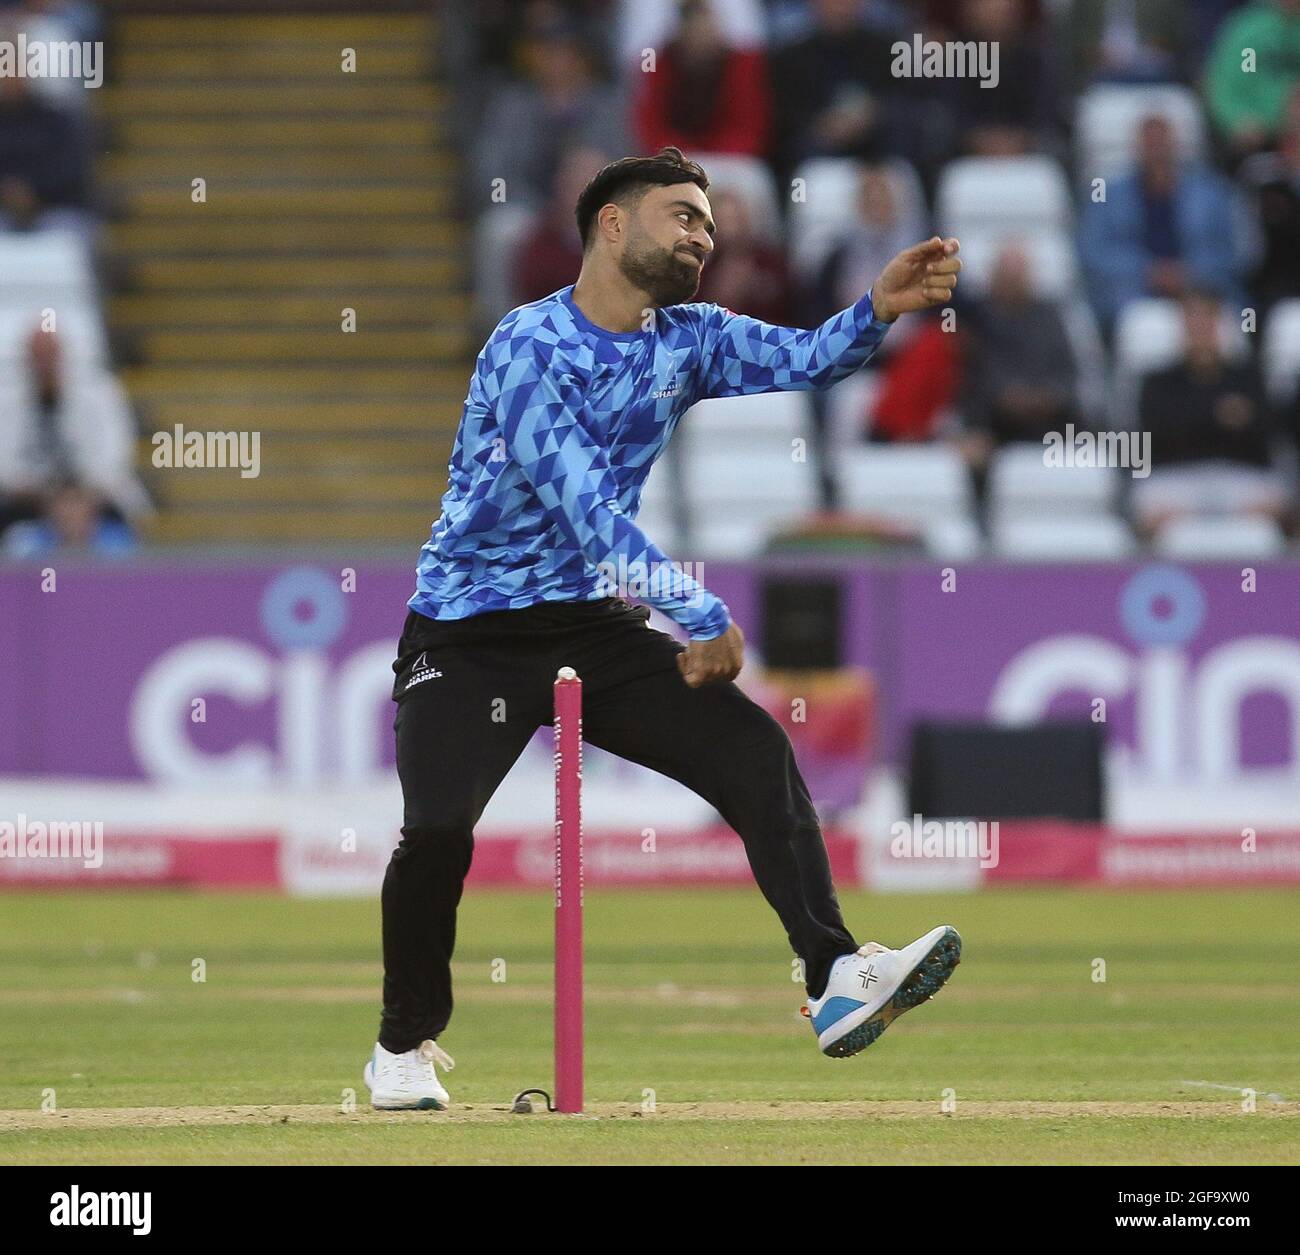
column 561, row 429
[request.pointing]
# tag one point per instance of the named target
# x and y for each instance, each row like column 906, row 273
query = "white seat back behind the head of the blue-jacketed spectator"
column 1108, row 119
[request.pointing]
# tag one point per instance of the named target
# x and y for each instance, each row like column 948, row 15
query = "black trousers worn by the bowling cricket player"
column 473, row 693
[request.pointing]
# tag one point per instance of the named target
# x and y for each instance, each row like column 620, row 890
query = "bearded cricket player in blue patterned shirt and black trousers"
column 573, row 400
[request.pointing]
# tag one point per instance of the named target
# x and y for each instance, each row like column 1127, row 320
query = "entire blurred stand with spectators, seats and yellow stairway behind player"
column 1128, row 200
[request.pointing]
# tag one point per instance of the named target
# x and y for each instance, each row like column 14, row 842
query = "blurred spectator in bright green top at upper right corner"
column 1247, row 103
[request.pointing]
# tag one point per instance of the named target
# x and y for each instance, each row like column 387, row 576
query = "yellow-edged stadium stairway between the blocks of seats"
column 326, row 192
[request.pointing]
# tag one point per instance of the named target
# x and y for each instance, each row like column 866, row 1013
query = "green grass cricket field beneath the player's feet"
column 690, row 997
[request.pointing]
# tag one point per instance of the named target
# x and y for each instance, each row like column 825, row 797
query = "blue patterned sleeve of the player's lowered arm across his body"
column 552, row 436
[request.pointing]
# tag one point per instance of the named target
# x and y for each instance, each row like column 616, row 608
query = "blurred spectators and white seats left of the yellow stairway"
column 67, row 429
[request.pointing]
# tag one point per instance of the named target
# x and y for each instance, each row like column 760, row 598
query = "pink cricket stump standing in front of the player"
column 569, row 892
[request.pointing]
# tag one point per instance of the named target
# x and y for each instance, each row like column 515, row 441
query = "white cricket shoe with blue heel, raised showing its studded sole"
column 869, row 989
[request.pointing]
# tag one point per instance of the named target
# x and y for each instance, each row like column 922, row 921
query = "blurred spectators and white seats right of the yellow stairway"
column 1163, row 300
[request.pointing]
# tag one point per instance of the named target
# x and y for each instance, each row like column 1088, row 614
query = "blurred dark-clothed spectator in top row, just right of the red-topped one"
column 837, row 96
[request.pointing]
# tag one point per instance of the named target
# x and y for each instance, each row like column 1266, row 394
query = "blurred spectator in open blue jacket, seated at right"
column 1163, row 230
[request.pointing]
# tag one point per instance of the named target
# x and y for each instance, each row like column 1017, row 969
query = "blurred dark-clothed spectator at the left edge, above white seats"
column 42, row 163
